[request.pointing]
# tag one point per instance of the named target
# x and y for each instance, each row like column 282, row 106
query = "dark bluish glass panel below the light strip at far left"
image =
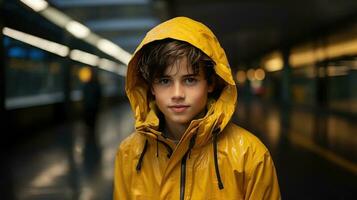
column 33, row 76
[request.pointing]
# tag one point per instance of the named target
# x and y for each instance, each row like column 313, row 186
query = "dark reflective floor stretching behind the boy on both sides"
column 314, row 154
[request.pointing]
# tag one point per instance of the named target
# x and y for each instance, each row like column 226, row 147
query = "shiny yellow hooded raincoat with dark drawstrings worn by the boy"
column 215, row 159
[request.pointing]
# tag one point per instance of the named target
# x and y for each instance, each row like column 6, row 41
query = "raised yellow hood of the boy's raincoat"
column 219, row 111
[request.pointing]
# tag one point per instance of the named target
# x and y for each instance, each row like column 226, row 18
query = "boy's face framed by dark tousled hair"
column 180, row 94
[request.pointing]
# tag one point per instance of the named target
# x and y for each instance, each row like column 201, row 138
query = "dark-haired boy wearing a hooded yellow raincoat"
column 182, row 93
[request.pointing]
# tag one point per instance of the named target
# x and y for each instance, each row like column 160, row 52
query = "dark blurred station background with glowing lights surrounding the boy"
column 64, row 109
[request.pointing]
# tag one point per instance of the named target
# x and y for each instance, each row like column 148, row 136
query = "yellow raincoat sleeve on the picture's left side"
column 121, row 175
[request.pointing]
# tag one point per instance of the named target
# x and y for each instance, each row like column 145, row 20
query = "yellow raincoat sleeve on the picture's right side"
column 262, row 180
